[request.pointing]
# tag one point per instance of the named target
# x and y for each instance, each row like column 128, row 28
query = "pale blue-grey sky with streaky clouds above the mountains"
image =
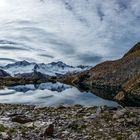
column 73, row 31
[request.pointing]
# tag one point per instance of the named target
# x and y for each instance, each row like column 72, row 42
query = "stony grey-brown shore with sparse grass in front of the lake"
column 22, row 122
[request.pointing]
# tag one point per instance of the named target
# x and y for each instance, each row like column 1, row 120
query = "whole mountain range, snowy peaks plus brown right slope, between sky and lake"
column 115, row 80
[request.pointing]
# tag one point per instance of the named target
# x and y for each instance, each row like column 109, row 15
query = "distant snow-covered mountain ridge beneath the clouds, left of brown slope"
column 50, row 69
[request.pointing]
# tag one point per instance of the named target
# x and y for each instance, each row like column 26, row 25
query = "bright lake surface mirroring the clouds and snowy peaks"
column 51, row 94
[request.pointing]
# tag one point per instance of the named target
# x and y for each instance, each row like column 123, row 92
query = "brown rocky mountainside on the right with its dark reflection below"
column 119, row 79
